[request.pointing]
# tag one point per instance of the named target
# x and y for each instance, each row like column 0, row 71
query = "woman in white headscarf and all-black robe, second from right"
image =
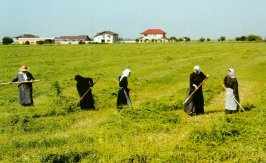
column 197, row 99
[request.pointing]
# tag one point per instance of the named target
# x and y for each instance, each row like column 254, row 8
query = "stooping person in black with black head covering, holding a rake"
column 84, row 86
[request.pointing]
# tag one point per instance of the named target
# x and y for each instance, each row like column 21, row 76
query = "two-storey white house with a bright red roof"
column 153, row 35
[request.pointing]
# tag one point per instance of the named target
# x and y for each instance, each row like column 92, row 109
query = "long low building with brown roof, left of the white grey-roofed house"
column 72, row 39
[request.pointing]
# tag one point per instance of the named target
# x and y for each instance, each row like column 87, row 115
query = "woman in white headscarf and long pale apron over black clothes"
column 231, row 86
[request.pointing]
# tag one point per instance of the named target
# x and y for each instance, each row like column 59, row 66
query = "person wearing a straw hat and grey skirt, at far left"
column 24, row 88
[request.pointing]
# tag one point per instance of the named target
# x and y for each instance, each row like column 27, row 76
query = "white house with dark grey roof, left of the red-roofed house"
column 106, row 37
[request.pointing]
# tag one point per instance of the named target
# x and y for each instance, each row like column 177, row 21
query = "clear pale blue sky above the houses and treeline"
column 128, row 18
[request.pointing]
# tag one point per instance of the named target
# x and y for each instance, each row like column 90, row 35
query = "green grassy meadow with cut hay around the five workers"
column 155, row 128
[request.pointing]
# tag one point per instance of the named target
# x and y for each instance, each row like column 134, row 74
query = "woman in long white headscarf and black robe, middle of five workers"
column 123, row 92
